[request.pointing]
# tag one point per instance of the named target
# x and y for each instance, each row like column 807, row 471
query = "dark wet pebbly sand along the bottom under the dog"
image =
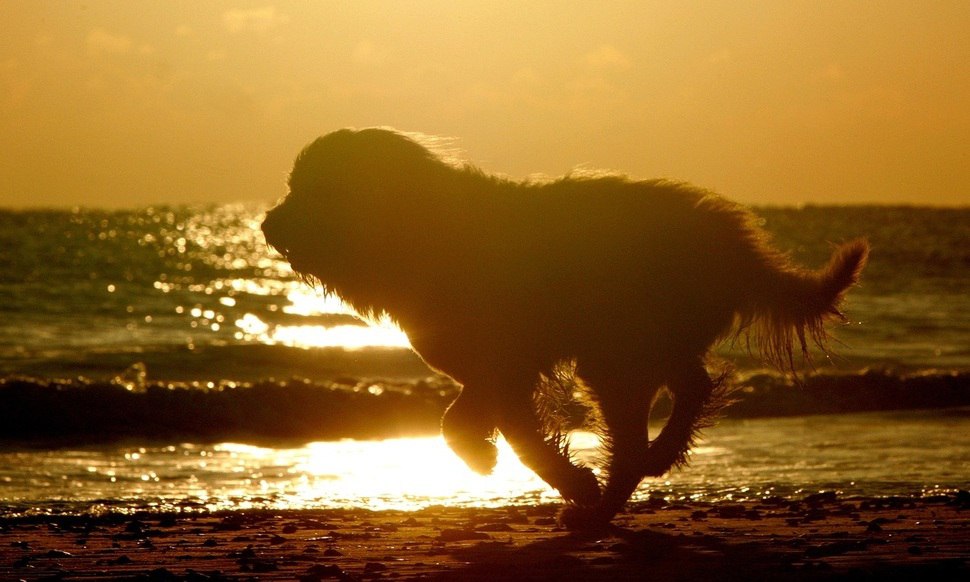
column 820, row 537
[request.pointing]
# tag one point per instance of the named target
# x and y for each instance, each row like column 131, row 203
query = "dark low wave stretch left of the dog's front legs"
column 55, row 412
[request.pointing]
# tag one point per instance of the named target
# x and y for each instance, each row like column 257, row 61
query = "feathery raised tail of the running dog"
column 794, row 304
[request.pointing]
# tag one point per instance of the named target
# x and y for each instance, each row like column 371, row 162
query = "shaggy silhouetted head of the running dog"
column 353, row 200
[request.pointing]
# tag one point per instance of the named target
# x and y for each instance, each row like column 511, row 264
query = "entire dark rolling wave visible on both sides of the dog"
column 44, row 412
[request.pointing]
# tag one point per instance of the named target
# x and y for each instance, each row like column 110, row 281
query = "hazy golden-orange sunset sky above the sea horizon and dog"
column 124, row 103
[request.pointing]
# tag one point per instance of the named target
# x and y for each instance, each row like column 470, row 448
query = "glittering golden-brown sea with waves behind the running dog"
column 164, row 359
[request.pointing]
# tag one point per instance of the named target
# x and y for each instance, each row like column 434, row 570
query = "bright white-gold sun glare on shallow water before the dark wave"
column 404, row 474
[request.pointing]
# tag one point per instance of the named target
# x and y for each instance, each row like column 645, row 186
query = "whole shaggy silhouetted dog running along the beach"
column 506, row 286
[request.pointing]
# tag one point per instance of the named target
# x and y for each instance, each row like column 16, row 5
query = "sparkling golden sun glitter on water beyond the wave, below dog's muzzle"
column 231, row 287
